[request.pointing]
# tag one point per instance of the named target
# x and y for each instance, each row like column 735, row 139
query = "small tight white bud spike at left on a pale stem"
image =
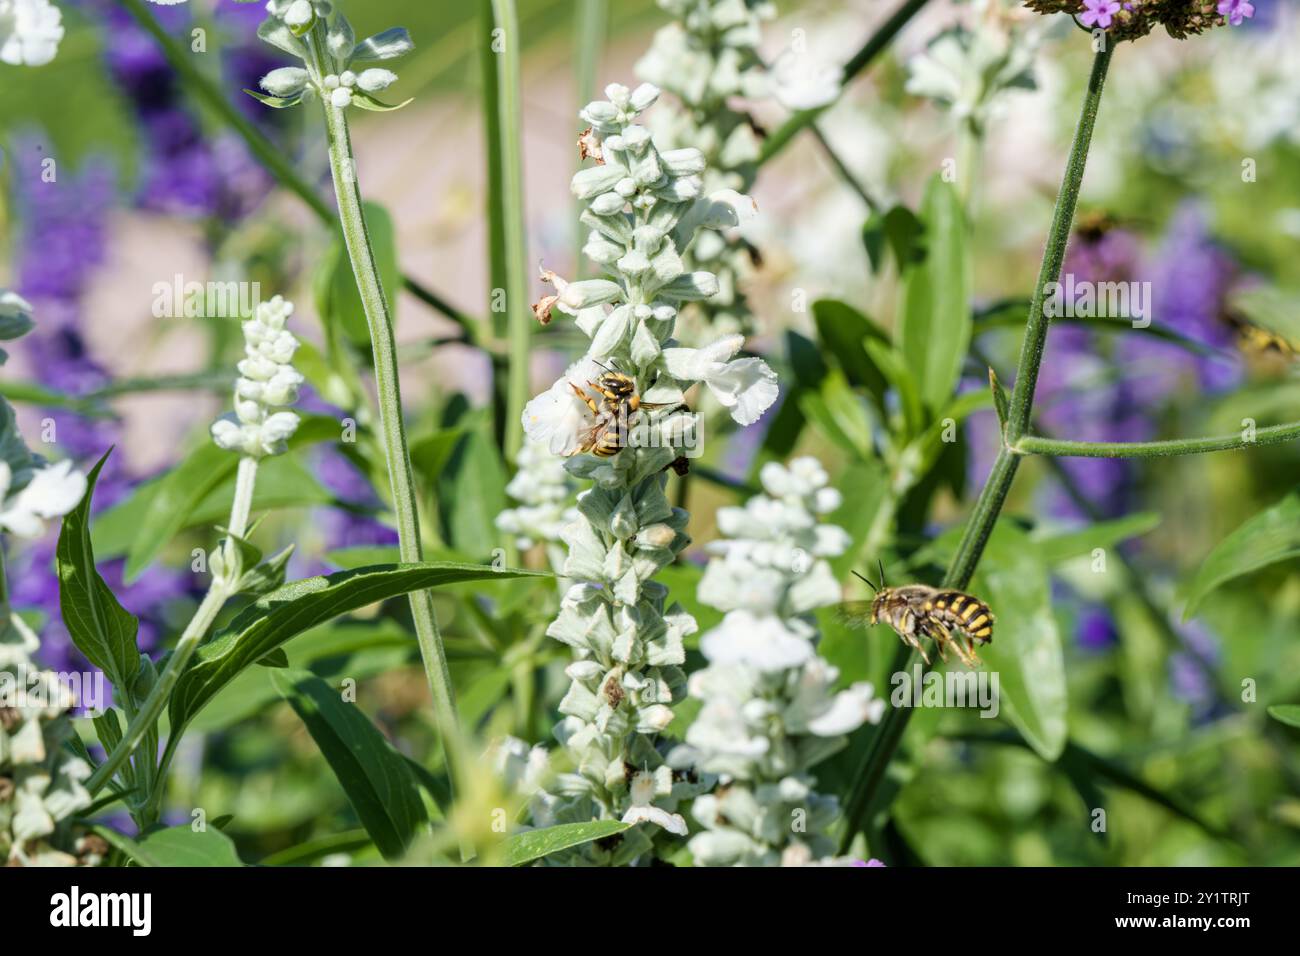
column 267, row 383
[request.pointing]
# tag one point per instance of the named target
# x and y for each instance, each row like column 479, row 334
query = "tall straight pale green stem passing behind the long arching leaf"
column 392, row 426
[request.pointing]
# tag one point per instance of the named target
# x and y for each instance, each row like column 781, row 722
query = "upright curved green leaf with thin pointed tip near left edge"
column 99, row 626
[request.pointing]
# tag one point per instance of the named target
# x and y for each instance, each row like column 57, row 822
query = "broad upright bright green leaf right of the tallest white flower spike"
column 935, row 328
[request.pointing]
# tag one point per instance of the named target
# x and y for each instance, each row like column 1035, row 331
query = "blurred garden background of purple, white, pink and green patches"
column 1194, row 185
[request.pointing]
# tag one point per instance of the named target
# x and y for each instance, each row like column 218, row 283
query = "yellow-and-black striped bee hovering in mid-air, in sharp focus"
column 951, row 618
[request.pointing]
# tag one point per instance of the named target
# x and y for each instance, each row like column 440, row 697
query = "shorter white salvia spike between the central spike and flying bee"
column 770, row 711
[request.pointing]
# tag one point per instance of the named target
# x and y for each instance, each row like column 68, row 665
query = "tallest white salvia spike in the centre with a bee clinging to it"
column 644, row 209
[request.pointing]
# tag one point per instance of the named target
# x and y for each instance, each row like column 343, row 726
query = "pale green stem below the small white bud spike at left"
column 144, row 721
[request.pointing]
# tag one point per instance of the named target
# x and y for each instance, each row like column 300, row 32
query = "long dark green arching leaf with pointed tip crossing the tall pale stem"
column 298, row 607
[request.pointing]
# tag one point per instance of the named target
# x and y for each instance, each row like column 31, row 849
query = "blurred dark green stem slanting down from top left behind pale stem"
column 267, row 153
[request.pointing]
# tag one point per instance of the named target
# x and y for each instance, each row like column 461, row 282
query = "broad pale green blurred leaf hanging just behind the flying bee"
column 1026, row 650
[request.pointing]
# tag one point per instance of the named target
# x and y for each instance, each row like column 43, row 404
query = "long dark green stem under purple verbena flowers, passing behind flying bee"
column 987, row 509
